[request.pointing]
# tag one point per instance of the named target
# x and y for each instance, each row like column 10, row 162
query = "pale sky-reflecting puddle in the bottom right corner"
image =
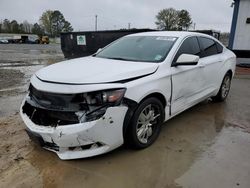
column 224, row 164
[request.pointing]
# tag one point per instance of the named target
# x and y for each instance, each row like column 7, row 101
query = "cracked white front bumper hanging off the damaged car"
column 83, row 139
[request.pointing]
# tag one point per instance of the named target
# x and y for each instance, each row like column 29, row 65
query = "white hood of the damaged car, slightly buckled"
column 90, row 70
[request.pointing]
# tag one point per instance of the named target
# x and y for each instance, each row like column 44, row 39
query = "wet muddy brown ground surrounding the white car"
column 205, row 146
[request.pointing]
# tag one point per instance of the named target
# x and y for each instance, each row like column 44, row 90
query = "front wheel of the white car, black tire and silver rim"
column 154, row 123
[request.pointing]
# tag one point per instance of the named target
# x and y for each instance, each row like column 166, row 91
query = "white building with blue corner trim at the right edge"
column 239, row 40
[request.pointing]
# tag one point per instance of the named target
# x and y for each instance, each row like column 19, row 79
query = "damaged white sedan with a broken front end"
column 122, row 94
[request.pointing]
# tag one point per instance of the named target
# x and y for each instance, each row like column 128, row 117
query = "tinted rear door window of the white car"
column 208, row 46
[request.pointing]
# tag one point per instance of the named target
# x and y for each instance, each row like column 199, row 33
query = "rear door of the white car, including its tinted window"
column 211, row 62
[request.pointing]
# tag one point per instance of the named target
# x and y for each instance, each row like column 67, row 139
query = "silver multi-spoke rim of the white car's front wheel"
column 146, row 123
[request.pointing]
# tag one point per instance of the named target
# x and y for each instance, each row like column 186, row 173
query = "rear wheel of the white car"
column 224, row 89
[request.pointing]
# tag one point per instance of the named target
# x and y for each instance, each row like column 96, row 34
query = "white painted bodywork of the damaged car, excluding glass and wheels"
column 191, row 84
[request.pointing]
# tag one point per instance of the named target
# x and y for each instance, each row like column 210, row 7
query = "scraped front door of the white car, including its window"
column 187, row 81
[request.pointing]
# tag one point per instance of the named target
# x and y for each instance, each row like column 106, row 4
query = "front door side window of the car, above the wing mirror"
column 189, row 46
